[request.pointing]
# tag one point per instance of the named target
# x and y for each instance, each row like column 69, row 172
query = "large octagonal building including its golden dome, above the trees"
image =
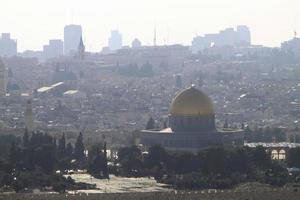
column 191, row 125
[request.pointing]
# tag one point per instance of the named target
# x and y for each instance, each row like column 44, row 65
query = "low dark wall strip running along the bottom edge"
column 276, row 194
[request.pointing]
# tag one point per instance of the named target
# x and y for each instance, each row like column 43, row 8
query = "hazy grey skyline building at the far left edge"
column 8, row 46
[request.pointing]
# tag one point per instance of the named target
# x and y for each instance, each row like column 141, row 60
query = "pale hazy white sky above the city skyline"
column 34, row 22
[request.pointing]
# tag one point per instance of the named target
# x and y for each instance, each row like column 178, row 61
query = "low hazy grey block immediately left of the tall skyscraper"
column 53, row 50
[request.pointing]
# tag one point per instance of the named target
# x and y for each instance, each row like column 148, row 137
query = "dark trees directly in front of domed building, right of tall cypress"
column 215, row 167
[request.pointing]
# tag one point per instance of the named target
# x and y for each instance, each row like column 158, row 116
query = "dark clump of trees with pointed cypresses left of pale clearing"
column 34, row 161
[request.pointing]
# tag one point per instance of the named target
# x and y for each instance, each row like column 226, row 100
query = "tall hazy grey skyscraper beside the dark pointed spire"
column 72, row 35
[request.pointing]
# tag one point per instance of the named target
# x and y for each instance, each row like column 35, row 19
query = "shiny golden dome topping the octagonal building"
column 191, row 102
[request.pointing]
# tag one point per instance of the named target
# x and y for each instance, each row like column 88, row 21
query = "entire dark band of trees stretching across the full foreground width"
column 34, row 160
